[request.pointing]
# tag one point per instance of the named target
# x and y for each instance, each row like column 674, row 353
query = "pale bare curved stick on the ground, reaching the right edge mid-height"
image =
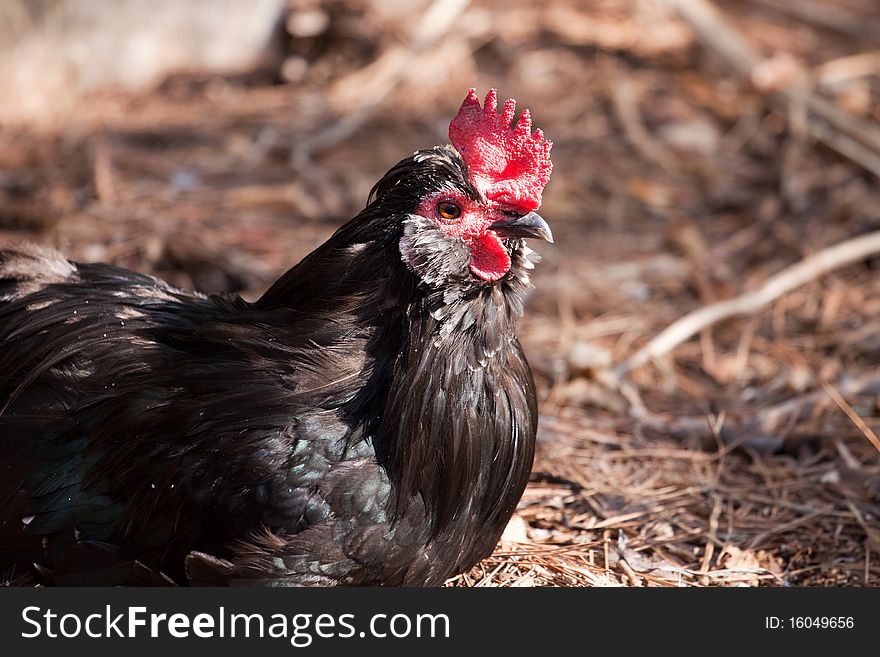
column 808, row 269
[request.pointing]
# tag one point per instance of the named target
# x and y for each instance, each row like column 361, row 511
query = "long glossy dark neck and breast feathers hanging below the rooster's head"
column 457, row 432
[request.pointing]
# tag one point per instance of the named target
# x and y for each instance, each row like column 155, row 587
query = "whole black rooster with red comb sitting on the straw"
column 370, row 420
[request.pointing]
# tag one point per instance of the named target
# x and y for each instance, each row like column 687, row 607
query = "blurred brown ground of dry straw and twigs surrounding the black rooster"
column 700, row 148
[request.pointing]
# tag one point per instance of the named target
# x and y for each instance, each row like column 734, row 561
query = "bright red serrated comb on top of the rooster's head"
column 508, row 163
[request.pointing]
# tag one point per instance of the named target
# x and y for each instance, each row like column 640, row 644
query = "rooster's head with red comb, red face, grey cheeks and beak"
column 469, row 206
